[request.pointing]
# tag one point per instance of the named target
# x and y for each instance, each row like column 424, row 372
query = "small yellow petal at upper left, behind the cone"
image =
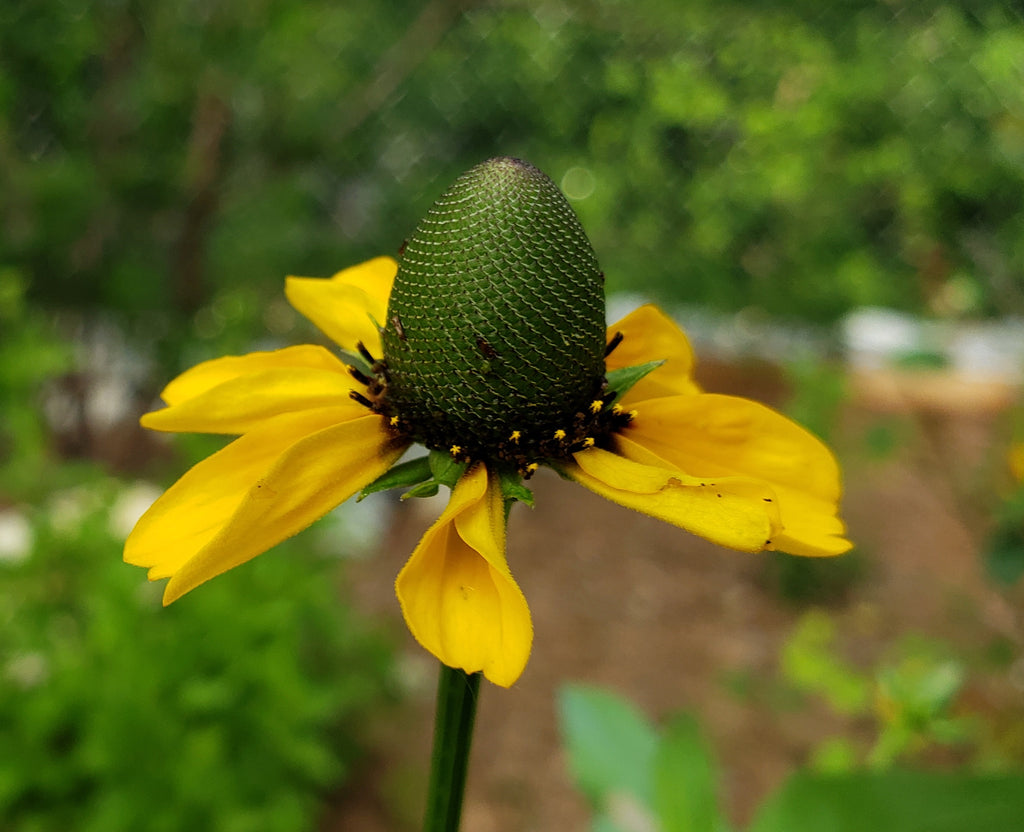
column 352, row 306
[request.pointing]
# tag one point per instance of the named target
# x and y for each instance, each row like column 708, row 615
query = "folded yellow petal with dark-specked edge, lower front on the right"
column 731, row 512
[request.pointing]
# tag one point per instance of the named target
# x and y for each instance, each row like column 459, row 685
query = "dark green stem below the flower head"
column 457, row 694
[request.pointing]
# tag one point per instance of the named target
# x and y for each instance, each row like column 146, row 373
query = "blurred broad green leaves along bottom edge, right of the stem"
column 637, row 777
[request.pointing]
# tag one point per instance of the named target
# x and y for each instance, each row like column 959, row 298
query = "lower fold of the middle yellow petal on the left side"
column 244, row 403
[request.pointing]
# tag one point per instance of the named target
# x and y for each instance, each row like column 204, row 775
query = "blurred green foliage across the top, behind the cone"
column 797, row 157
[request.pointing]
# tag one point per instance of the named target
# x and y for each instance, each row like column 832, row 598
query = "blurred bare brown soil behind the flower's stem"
column 622, row 601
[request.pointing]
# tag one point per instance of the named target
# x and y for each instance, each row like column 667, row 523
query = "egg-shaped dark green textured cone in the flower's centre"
column 495, row 341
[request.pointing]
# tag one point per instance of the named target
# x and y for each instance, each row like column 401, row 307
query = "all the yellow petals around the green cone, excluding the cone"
column 312, row 434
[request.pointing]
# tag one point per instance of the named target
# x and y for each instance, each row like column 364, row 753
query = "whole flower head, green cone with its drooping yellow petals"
column 485, row 343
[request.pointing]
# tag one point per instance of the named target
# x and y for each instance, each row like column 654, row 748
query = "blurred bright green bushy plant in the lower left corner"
column 235, row 711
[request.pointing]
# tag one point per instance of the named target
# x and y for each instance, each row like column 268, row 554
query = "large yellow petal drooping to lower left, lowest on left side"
column 260, row 490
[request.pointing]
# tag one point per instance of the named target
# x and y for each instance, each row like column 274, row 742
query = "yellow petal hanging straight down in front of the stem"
column 459, row 598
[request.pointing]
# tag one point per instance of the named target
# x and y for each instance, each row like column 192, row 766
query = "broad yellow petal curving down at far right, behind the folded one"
column 712, row 436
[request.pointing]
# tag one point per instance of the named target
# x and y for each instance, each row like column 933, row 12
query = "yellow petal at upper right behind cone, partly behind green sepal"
column 649, row 335
